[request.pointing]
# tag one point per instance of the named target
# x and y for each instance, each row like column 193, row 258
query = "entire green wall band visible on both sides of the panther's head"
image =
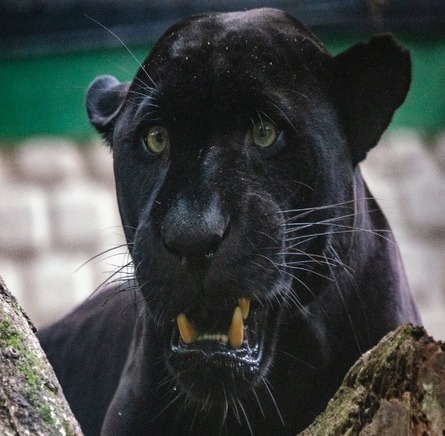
column 45, row 95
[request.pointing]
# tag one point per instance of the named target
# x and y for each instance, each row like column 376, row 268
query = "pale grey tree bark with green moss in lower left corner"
column 31, row 399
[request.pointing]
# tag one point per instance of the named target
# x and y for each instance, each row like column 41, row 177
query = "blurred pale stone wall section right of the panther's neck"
column 407, row 176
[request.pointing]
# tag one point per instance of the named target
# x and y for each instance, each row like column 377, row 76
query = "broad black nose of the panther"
column 194, row 235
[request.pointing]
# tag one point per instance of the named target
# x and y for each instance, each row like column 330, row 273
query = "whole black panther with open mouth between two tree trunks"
column 263, row 267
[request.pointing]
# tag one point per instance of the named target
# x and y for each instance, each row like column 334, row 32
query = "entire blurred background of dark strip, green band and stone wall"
column 57, row 201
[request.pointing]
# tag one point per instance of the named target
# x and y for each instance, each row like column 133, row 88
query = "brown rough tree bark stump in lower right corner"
column 397, row 388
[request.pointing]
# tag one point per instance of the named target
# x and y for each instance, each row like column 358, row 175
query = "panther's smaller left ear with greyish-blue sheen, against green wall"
column 105, row 97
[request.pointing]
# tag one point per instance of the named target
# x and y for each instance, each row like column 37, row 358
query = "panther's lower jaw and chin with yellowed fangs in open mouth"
column 222, row 358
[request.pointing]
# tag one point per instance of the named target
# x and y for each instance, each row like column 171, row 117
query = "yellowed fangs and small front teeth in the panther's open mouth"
column 234, row 336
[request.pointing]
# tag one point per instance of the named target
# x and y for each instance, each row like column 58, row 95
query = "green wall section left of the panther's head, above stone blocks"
column 46, row 95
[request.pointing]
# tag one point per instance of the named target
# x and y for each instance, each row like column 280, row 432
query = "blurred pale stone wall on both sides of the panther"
column 58, row 210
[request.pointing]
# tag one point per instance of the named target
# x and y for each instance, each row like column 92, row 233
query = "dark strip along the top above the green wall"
column 49, row 26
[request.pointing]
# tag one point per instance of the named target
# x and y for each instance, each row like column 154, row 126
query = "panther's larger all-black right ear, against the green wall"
column 371, row 80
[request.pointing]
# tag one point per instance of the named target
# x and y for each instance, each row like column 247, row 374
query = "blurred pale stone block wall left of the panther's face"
column 57, row 211
